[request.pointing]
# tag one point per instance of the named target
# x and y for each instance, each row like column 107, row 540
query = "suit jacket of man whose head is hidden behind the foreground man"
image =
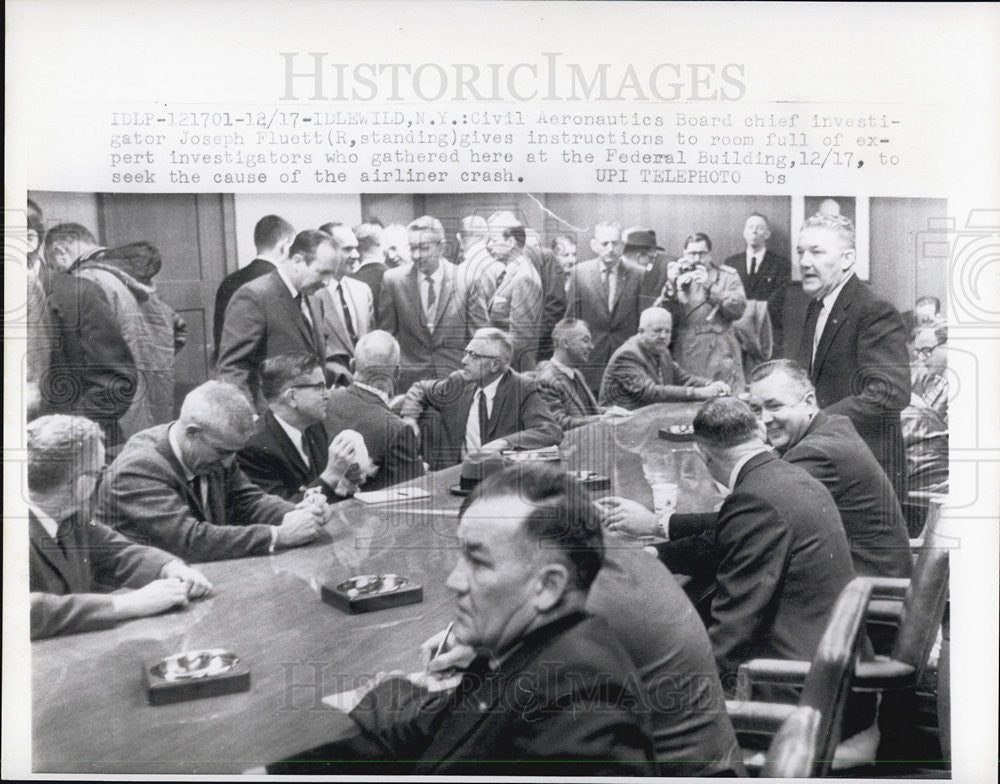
column 667, row 642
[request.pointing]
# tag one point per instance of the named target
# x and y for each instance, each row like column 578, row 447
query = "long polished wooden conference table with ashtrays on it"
column 90, row 710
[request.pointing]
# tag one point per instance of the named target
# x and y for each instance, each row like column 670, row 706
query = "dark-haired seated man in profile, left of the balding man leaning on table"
column 561, row 383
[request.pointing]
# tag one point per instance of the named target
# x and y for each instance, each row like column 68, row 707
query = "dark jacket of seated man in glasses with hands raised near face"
column 271, row 461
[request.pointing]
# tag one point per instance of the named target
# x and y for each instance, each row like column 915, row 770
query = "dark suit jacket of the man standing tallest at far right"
column 861, row 370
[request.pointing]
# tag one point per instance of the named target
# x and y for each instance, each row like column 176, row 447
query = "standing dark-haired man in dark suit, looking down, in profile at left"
column 274, row 314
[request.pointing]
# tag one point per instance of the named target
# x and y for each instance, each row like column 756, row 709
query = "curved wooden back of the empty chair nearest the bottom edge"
column 804, row 745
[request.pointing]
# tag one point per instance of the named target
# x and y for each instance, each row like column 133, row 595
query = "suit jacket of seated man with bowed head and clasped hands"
column 146, row 495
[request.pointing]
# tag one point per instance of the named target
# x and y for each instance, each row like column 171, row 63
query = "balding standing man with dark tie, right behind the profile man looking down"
column 346, row 304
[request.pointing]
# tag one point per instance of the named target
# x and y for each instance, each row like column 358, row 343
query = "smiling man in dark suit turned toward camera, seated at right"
column 829, row 448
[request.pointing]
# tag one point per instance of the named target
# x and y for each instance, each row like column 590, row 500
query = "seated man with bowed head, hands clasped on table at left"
column 177, row 486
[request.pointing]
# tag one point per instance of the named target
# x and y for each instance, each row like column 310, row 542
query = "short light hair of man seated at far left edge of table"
column 57, row 445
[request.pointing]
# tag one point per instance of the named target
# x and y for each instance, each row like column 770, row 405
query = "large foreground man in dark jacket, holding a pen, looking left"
column 550, row 690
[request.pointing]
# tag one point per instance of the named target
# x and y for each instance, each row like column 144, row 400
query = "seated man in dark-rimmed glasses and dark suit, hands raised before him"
column 289, row 451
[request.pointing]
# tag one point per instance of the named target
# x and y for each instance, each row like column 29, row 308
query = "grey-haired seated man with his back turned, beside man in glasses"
column 364, row 408
